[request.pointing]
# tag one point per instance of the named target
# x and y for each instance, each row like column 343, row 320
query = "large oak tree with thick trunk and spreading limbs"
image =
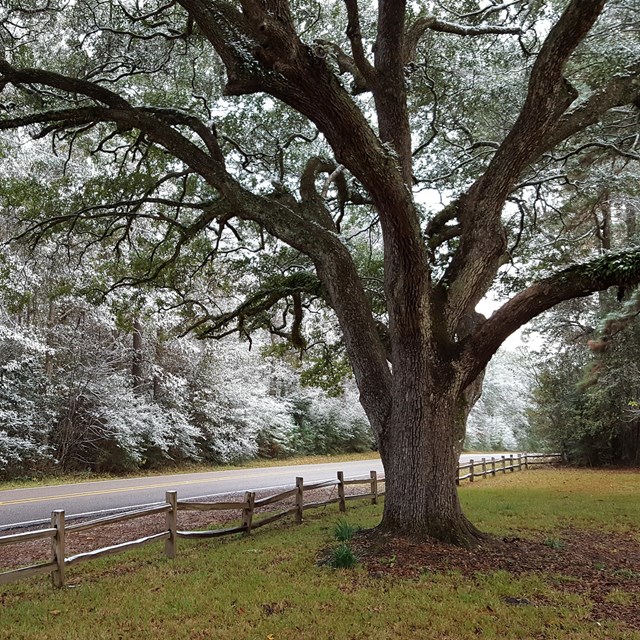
column 379, row 97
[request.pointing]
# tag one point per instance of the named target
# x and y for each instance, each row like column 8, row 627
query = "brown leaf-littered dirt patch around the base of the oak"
column 595, row 564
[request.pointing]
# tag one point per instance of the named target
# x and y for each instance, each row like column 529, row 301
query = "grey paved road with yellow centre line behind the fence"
column 30, row 506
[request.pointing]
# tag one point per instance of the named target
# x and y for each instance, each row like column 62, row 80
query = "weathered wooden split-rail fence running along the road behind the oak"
column 59, row 529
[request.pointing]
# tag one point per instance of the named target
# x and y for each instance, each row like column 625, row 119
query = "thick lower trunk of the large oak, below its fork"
column 420, row 457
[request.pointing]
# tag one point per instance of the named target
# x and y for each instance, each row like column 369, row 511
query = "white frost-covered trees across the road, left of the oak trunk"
column 112, row 386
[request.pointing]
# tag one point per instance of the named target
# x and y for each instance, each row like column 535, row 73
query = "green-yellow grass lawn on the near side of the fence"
column 270, row 587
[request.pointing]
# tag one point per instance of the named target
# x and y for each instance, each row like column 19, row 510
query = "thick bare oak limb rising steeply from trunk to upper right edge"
column 483, row 241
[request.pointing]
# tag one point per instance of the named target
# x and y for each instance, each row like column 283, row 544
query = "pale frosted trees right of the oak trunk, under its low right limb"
column 499, row 419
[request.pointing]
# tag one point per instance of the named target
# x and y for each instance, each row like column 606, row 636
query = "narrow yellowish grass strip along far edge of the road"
column 71, row 478
